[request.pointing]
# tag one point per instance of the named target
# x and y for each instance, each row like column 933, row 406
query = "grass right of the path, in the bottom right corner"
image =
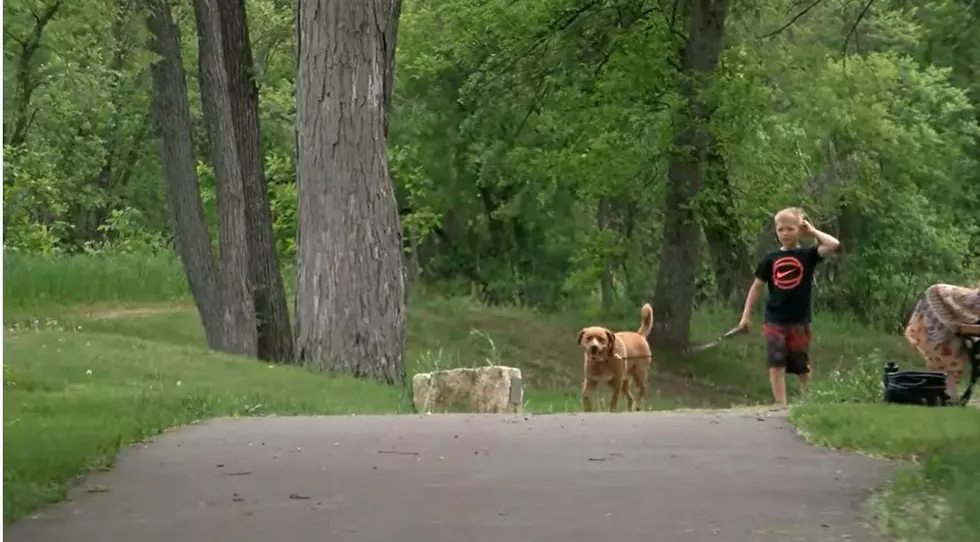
column 935, row 496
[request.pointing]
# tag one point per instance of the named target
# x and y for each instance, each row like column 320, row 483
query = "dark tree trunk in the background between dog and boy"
column 680, row 247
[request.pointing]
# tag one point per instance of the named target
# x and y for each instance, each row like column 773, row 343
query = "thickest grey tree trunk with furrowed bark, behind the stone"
column 350, row 297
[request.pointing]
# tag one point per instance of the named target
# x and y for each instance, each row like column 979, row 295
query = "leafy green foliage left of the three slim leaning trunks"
column 80, row 95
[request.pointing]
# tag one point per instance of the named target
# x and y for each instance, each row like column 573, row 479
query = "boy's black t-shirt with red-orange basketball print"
column 789, row 276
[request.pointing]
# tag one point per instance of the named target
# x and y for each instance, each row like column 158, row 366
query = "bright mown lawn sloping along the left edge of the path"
column 72, row 399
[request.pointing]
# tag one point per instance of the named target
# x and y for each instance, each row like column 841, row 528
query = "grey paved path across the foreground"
column 691, row 477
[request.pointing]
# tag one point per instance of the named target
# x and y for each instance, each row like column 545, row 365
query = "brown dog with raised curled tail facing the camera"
column 614, row 358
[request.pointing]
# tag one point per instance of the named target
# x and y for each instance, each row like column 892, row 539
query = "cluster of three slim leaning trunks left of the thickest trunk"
column 241, row 301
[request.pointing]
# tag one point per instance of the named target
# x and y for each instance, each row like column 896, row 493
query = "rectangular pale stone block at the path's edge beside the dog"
column 492, row 389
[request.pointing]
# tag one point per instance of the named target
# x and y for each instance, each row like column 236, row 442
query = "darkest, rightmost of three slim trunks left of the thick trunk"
column 275, row 340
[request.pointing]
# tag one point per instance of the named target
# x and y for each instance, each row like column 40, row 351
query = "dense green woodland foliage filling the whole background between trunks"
column 512, row 123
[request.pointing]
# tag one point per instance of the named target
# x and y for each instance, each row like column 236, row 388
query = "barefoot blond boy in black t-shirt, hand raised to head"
column 788, row 272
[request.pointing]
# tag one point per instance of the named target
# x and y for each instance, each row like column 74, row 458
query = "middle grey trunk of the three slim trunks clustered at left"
column 239, row 317
